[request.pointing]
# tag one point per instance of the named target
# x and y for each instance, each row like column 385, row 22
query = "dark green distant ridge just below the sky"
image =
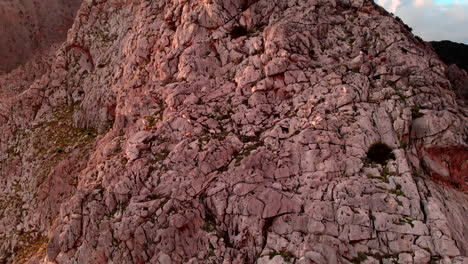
column 452, row 52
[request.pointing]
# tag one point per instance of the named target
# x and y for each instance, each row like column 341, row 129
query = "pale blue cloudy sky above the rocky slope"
column 433, row 19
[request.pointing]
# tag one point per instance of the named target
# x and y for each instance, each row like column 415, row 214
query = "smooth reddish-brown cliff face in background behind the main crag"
column 28, row 27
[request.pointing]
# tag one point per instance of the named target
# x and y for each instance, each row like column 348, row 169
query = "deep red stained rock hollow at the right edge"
column 448, row 165
